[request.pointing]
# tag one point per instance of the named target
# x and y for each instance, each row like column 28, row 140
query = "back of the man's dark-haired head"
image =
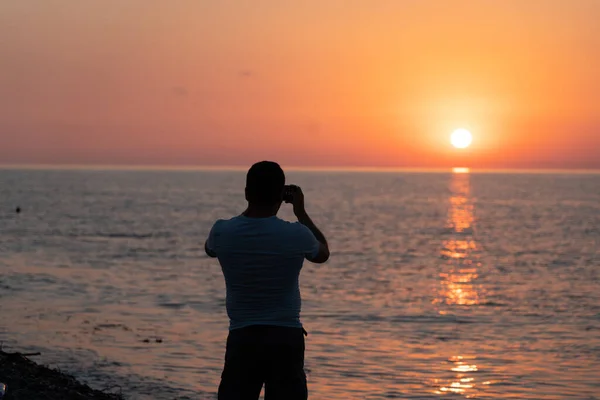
column 264, row 183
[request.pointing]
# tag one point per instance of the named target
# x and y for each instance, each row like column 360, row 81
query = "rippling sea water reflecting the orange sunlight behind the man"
column 440, row 284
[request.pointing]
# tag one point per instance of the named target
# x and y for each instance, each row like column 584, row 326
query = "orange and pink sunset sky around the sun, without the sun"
column 321, row 83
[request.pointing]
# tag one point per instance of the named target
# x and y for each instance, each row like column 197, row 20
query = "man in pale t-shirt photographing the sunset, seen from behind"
column 261, row 257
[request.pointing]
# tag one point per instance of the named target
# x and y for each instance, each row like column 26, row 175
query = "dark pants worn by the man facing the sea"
column 269, row 355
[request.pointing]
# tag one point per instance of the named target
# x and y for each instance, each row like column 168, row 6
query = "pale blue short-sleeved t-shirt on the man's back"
column 261, row 260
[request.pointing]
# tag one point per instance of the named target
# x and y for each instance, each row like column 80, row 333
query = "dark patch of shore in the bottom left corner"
column 26, row 380
